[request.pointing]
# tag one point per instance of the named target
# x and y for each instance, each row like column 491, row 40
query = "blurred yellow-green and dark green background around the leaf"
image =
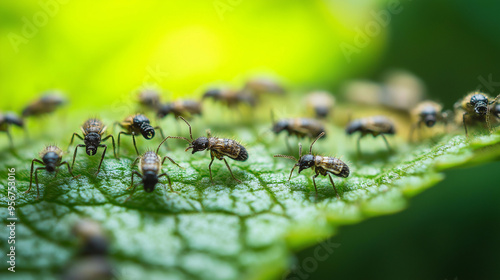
column 99, row 52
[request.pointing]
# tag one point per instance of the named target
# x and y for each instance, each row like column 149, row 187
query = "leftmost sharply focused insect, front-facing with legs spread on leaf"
column 51, row 160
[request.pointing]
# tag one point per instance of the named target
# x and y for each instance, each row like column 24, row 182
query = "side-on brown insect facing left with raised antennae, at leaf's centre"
column 218, row 147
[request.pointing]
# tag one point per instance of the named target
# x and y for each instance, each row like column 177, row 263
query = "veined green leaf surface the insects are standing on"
column 223, row 230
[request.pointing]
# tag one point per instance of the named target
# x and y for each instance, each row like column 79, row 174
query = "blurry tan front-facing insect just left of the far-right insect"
column 428, row 113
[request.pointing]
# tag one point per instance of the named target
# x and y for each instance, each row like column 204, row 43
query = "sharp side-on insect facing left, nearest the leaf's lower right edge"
column 320, row 164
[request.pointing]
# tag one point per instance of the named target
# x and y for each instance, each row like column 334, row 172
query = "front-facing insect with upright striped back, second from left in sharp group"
column 93, row 130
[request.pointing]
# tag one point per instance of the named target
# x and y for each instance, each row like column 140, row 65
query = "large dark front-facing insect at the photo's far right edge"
column 476, row 107
